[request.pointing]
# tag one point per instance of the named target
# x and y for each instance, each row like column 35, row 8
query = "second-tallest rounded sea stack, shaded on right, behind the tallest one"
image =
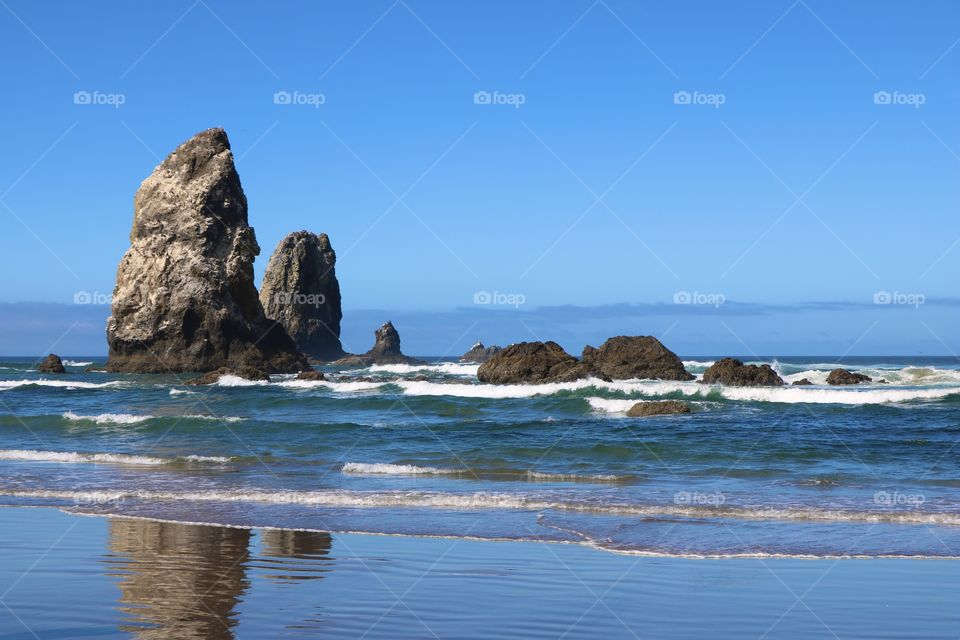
column 301, row 292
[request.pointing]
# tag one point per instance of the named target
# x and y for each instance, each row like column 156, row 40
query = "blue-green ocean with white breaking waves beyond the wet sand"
column 814, row 471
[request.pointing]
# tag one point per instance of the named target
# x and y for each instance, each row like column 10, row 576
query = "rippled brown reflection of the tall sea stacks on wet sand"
column 186, row 581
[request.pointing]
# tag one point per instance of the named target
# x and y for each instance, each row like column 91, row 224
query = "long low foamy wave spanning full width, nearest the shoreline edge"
column 492, row 501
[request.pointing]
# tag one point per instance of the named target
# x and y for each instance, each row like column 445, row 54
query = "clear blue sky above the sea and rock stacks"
column 598, row 189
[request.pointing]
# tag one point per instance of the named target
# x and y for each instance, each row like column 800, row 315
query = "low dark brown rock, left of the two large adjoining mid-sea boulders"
column 531, row 362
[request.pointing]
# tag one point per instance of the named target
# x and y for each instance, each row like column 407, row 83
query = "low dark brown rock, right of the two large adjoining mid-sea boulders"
column 629, row 357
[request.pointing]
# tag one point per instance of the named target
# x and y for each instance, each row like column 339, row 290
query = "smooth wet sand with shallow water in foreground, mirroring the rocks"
column 66, row 576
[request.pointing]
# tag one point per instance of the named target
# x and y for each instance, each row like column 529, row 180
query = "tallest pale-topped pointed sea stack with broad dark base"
column 185, row 299
